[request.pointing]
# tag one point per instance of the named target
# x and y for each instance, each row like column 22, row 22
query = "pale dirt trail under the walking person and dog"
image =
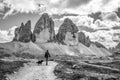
column 35, row 72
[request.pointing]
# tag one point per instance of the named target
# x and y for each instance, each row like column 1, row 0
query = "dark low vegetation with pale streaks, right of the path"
column 76, row 70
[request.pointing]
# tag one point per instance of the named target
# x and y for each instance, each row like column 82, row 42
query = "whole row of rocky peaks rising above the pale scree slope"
column 44, row 32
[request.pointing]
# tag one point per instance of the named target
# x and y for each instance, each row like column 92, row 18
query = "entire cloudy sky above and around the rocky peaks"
column 98, row 19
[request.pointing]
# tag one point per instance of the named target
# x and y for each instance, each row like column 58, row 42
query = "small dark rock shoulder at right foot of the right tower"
column 83, row 39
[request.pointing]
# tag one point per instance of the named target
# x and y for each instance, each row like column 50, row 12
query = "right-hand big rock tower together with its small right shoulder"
column 68, row 34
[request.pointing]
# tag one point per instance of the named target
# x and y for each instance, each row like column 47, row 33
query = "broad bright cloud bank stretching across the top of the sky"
column 81, row 7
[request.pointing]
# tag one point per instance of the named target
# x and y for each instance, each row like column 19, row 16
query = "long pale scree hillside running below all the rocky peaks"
column 38, row 49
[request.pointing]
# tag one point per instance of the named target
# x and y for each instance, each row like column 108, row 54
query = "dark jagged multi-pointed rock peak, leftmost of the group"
column 23, row 33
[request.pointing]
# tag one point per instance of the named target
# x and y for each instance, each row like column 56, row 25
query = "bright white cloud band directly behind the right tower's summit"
column 88, row 22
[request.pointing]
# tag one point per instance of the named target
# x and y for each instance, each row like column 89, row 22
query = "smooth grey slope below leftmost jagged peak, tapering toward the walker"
column 19, row 49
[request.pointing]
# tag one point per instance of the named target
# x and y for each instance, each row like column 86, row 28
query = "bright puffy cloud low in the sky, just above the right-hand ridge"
column 104, row 37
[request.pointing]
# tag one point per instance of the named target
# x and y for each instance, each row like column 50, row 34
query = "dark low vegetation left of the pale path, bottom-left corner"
column 9, row 67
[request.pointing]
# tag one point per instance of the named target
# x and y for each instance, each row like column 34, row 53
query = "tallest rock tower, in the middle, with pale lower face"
column 44, row 29
